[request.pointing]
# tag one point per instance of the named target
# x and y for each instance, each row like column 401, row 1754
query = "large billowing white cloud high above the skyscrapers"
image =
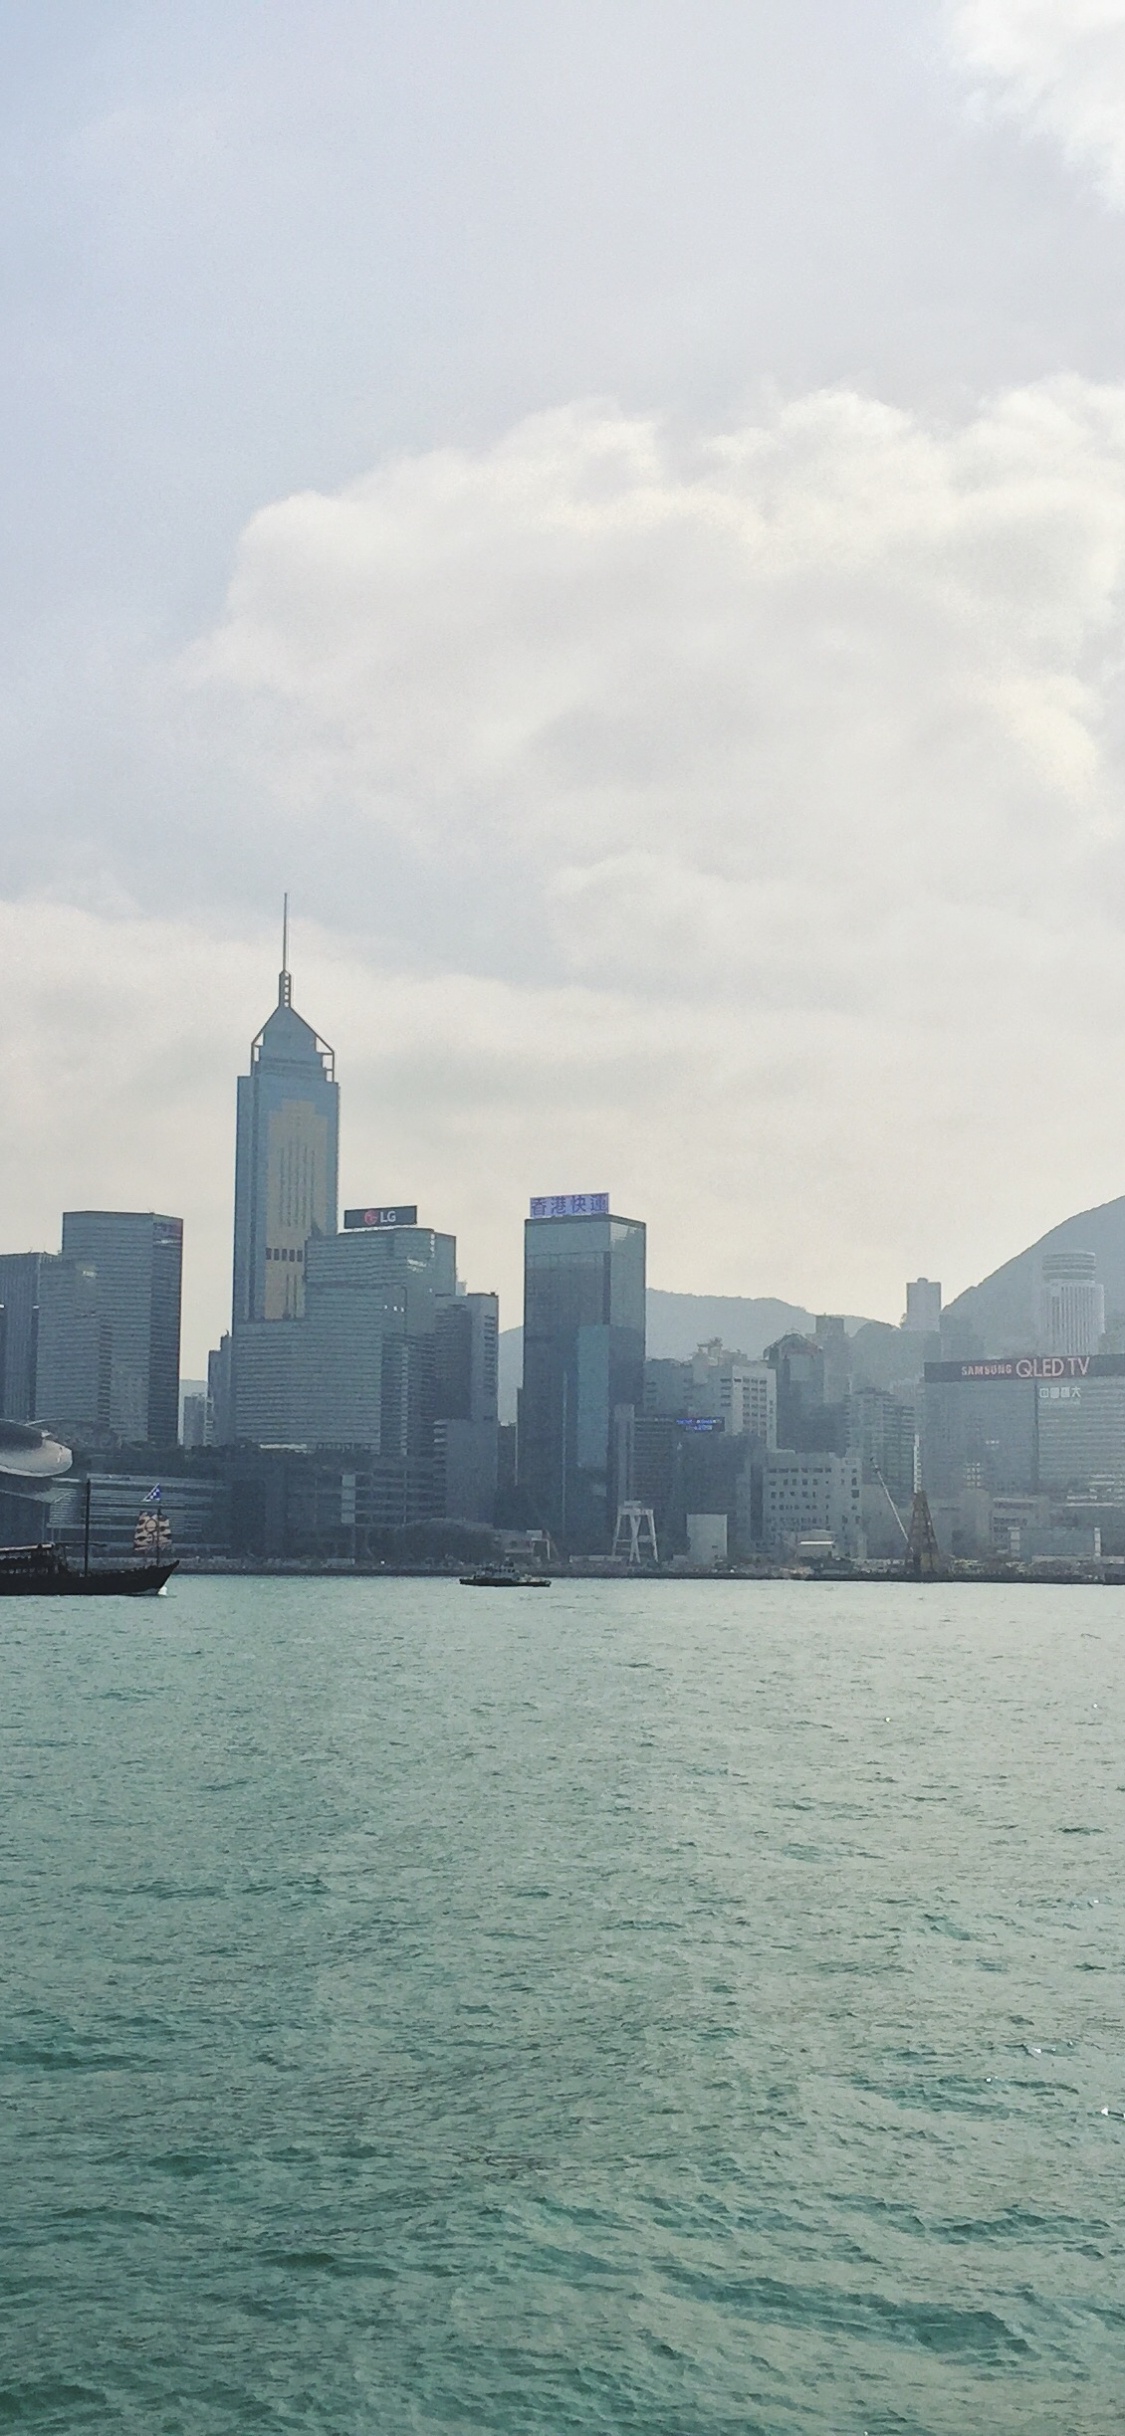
column 827, row 644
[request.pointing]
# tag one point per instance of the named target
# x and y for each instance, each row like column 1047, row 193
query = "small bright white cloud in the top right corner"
column 1060, row 67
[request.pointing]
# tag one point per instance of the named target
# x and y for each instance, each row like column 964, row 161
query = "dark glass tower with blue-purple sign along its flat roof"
column 583, row 1370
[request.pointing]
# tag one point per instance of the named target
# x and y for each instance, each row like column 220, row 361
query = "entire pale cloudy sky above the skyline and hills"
column 620, row 510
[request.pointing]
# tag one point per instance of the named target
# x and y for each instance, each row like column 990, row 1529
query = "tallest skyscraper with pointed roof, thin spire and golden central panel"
column 286, row 1158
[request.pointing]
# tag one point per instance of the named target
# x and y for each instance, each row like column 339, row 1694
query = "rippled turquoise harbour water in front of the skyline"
column 683, row 2011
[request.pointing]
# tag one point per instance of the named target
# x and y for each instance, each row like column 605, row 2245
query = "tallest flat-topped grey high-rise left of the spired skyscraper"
column 108, row 1341
